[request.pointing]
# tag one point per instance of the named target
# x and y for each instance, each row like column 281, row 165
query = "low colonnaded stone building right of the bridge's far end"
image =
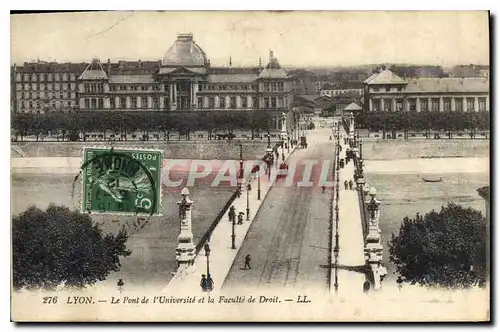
column 386, row 91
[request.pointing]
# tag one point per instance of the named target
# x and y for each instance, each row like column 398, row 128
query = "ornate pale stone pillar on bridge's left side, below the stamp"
column 185, row 251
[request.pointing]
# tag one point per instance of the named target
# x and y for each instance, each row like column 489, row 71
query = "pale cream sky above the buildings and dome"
column 321, row 38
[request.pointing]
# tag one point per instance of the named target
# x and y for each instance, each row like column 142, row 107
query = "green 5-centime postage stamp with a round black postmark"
column 121, row 181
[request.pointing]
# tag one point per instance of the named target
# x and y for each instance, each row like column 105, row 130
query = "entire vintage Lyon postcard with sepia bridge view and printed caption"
column 250, row 166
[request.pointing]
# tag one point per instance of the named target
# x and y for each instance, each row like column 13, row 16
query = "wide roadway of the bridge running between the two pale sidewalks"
column 289, row 239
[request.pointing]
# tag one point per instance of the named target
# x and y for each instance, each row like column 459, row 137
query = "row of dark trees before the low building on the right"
column 449, row 122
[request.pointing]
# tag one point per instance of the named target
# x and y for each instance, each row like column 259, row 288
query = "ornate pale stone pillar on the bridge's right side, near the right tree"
column 373, row 245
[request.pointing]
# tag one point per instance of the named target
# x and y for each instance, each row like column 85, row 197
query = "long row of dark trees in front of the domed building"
column 70, row 125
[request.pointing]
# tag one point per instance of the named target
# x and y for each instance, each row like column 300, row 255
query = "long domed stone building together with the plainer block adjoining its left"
column 183, row 80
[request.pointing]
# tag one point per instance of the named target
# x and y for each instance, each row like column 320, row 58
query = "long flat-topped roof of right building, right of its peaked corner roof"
column 449, row 84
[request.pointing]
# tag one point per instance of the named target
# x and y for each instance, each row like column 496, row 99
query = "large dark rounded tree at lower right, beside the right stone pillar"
column 445, row 249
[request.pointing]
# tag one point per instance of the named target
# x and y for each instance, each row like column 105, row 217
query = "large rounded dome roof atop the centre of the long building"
column 184, row 52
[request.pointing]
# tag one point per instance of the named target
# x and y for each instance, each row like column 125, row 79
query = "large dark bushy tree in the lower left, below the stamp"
column 58, row 246
